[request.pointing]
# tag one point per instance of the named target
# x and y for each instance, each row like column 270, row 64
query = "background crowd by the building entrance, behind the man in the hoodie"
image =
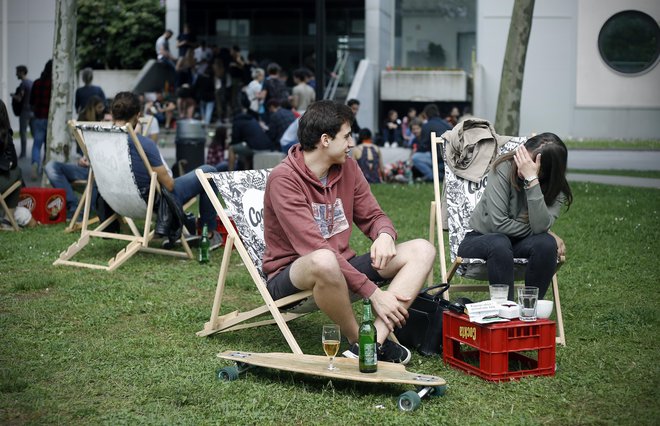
column 261, row 106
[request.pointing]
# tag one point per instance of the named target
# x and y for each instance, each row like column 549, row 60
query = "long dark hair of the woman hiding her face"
column 552, row 175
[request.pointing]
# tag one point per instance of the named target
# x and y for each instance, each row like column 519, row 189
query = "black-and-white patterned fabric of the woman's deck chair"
column 462, row 197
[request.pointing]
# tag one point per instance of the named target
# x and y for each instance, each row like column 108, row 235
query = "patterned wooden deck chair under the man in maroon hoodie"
column 243, row 194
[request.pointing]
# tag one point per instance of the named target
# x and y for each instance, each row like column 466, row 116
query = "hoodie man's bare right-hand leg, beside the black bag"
column 408, row 271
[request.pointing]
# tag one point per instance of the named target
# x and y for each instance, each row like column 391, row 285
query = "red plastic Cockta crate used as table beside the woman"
column 499, row 351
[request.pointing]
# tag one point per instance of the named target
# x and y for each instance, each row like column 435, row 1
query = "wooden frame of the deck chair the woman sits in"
column 447, row 275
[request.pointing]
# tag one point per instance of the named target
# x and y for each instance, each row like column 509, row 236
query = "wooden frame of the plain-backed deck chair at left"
column 137, row 240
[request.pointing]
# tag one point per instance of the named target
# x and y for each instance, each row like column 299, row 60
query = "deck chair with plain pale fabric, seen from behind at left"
column 107, row 148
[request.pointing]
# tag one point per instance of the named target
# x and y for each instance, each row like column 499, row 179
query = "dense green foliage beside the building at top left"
column 118, row 34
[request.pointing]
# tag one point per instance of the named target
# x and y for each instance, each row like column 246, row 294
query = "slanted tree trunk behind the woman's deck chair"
column 507, row 118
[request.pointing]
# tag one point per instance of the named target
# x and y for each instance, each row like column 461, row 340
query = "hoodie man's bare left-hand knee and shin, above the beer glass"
column 319, row 271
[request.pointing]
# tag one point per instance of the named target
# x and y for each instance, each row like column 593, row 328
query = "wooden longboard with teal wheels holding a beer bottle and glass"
column 316, row 365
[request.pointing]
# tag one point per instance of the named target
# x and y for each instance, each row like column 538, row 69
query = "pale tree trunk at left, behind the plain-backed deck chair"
column 64, row 56
